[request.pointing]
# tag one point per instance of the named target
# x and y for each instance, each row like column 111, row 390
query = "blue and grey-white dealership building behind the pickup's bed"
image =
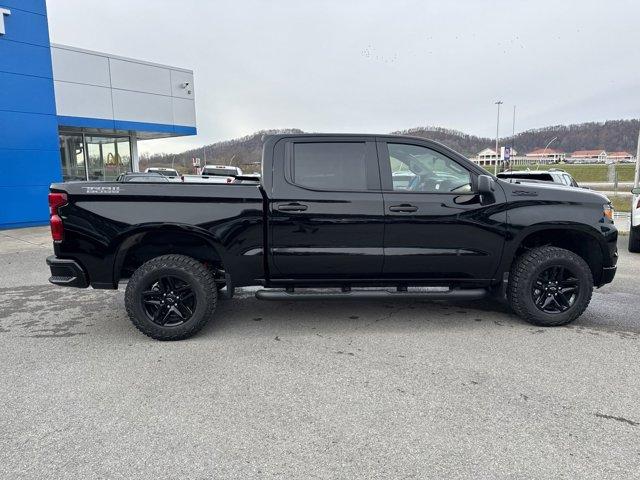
column 72, row 114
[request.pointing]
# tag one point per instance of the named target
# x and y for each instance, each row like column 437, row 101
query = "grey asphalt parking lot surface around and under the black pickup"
column 352, row 389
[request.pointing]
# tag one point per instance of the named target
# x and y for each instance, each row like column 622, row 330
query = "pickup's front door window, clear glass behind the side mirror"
column 420, row 169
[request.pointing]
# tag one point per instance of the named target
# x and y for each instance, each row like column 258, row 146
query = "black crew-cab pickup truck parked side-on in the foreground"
column 327, row 220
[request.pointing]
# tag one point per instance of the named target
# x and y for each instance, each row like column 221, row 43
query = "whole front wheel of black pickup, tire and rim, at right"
column 550, row 286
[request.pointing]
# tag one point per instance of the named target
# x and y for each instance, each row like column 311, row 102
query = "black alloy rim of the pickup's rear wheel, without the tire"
column 169, row 301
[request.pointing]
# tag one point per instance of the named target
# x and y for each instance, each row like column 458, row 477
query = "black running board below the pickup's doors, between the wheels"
column 428, row 294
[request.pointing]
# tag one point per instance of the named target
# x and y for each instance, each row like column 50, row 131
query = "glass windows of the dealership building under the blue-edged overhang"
column 94, row 157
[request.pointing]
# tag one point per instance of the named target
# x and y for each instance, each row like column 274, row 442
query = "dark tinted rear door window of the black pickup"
column 330, row 166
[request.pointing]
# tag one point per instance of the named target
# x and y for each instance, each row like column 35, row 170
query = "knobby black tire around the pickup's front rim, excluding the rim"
column 525, row 271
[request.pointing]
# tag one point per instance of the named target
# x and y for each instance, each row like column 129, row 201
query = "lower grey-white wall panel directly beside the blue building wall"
column 87, row 101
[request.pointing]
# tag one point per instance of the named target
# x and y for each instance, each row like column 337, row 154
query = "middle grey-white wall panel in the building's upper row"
column 140, row 77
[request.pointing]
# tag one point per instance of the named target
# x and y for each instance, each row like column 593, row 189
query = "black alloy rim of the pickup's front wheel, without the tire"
column 555, row 290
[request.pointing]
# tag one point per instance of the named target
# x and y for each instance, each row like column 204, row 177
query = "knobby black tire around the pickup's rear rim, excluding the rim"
column 187, row 269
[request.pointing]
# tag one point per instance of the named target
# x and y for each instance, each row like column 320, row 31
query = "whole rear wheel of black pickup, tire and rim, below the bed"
column 171, row 297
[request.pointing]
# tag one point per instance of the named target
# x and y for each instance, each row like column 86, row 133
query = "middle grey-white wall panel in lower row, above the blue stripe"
column 142, row 107
